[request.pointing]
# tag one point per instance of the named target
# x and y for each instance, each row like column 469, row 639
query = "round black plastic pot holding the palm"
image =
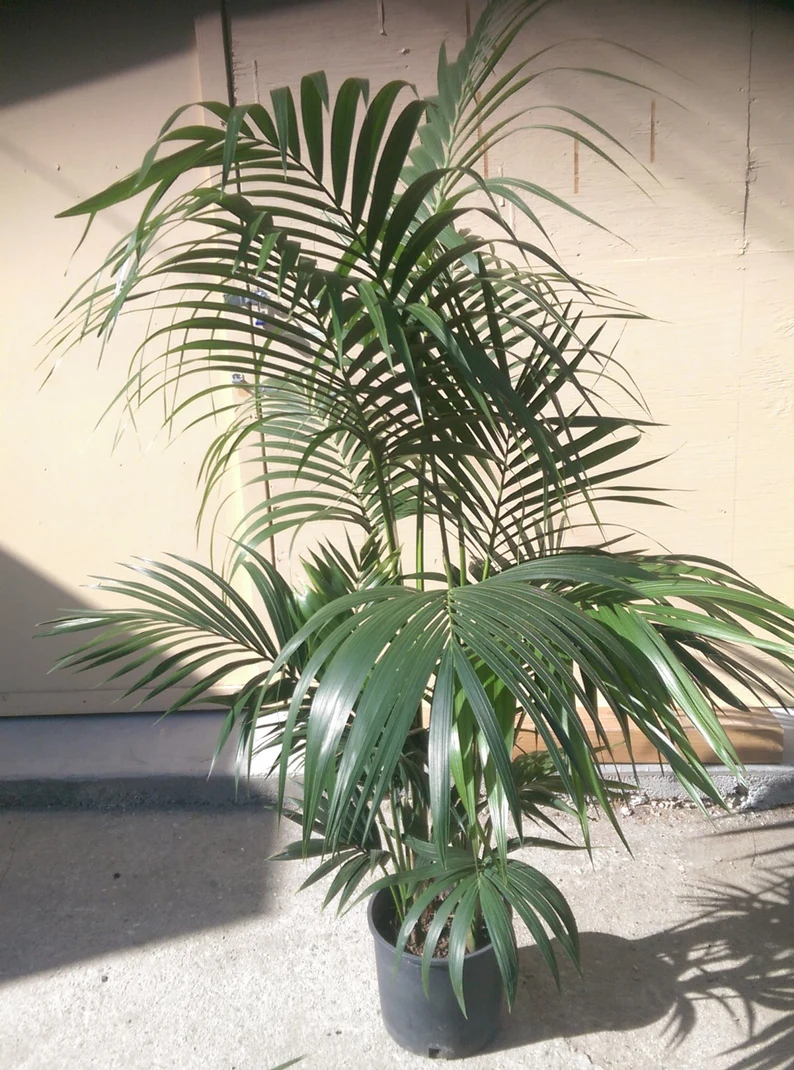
column 434, row 1025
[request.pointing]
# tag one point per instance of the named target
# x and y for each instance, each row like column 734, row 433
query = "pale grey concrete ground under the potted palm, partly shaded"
column 162, row 939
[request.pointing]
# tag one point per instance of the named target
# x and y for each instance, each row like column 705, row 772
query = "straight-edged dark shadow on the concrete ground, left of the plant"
column 87, row 885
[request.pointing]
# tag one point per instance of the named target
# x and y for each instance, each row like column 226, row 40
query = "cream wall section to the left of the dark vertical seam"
column 85, row 89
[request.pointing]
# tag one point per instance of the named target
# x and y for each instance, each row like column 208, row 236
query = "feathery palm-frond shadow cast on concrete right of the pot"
column 738, row 950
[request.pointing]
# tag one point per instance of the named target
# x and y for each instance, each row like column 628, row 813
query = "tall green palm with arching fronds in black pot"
column 416, row 387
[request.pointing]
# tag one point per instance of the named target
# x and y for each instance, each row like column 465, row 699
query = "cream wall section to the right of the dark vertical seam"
column 708, row 251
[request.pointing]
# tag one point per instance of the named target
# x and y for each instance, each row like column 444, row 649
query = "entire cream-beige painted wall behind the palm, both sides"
column 709, row 254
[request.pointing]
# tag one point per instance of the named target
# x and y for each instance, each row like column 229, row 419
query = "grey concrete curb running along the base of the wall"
column 135, row 760
